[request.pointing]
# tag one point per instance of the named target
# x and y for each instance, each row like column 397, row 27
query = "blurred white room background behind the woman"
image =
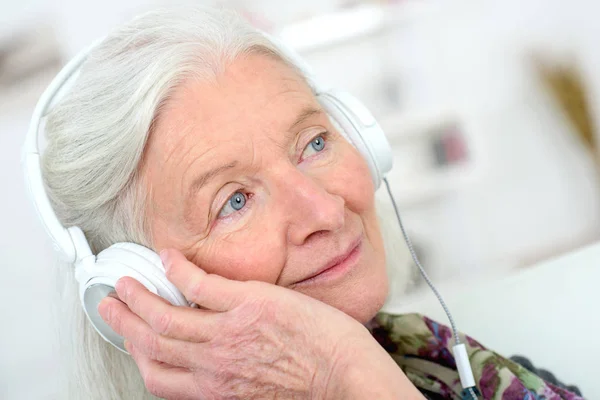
column 492, row 109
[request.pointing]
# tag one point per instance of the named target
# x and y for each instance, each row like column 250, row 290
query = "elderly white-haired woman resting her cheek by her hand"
column 188, row 132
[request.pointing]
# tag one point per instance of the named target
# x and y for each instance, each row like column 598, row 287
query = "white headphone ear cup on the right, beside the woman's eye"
column 358, row 125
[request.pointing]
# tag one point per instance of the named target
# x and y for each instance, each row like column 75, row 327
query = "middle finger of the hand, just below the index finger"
column 182, row 323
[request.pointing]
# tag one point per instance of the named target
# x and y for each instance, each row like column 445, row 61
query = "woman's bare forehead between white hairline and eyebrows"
column 254, row 92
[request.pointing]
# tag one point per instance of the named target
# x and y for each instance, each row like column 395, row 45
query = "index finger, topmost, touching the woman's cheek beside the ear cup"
column 208, row 290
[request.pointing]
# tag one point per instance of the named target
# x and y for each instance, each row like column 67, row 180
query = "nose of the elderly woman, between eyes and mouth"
column 309, row 208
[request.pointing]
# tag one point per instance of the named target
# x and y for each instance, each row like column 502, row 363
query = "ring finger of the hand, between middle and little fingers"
column 125, row 323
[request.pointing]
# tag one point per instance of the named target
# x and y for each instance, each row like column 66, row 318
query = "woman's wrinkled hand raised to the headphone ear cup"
column 249, row 340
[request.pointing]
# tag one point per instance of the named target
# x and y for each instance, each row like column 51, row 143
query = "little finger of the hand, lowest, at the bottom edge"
column 163, row 380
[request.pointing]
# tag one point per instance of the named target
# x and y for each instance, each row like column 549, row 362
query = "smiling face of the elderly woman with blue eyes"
column 249, row 179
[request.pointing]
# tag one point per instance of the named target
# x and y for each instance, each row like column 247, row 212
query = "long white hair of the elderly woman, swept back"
column 96, row 137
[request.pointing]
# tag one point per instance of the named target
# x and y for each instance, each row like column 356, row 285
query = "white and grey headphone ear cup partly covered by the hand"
column 113, row 263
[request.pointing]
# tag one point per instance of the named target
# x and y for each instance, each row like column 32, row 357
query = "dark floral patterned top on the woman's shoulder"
column 423, row 349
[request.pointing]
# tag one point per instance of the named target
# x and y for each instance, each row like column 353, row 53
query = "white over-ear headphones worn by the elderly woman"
column 97, row 275
